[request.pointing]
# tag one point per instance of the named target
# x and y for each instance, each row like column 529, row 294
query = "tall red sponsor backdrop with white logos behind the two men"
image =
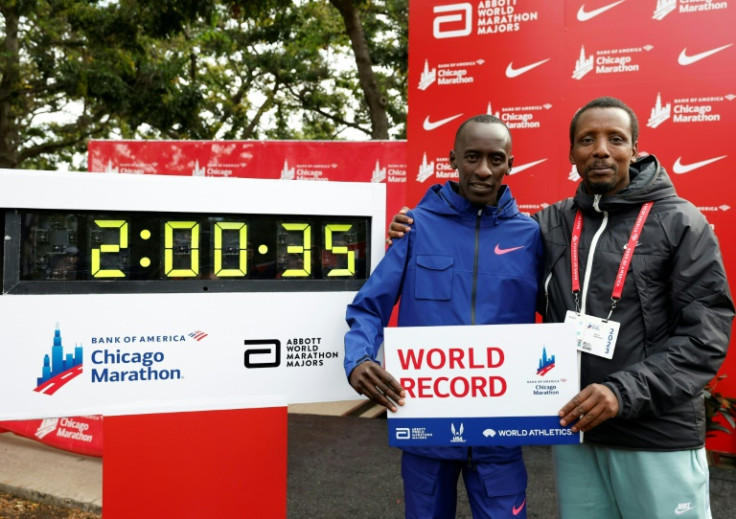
column 534, row 62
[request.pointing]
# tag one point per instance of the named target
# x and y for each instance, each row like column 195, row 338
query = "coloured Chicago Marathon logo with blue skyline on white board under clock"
column 59, row 368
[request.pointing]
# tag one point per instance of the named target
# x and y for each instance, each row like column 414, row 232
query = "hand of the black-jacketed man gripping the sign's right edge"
column 591, row 407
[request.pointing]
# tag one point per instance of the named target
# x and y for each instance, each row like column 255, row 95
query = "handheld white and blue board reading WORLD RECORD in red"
column 482, row 385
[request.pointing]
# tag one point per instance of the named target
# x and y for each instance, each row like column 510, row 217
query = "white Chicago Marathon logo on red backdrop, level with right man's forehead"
column 702, row 109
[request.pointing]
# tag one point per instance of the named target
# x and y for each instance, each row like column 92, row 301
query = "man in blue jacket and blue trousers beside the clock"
column 472, row 258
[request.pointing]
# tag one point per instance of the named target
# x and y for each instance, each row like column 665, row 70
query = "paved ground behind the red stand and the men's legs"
column 338, row 467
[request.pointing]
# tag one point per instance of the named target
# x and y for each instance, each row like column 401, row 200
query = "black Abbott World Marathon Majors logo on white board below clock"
column 300, row 352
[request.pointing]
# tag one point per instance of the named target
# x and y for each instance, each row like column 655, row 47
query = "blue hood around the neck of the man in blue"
column 444, row 199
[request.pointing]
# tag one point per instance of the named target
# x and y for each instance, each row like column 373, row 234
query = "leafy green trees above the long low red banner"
column 71, row 70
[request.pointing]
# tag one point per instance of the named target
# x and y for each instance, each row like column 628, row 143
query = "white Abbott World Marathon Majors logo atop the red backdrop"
column 493, row 17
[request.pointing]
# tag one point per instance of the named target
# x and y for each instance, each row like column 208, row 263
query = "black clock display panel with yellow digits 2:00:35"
column 173, row 252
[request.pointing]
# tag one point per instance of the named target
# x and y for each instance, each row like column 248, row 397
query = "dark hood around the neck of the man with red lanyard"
column 648, row 182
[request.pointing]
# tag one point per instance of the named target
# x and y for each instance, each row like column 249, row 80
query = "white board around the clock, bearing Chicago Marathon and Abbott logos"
column 114, row 351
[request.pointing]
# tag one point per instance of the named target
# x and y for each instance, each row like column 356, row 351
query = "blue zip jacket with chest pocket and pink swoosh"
column 460, row 264
